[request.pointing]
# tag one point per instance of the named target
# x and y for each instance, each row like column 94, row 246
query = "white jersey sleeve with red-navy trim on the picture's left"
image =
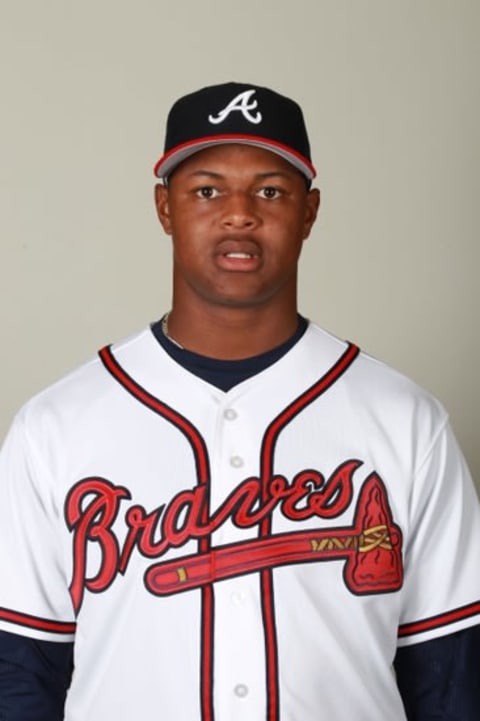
column 34, row 597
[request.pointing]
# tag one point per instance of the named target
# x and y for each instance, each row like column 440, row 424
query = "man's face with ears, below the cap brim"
column 238, row 216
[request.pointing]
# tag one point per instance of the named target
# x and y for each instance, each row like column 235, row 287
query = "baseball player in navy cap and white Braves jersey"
column 234, row 514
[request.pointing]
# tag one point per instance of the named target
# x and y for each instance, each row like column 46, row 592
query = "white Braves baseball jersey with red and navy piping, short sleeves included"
column 252, row 554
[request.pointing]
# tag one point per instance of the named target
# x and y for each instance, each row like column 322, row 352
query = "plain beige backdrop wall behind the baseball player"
column 390, row 91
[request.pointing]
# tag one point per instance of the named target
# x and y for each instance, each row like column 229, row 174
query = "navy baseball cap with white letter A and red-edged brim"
column 236, row 113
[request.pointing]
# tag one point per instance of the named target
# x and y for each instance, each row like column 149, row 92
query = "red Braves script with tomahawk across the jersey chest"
column 371, row 547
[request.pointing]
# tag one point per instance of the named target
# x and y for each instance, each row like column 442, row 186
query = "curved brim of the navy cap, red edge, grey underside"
column 177, row 155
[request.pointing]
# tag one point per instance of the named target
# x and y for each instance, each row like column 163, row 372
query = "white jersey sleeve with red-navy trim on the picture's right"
column 441, row 593
